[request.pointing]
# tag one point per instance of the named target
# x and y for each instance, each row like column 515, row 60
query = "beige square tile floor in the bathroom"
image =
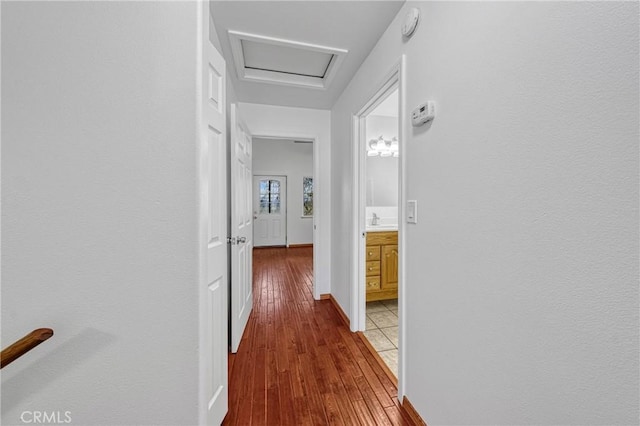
column 382, row 330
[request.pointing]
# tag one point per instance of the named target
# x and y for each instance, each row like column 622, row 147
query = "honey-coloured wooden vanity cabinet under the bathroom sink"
column 381, row 265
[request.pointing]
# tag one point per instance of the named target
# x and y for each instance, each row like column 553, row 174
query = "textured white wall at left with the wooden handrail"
column 99, row 210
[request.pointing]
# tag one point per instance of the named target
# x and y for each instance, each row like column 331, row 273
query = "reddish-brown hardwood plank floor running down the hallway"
column 298, row 364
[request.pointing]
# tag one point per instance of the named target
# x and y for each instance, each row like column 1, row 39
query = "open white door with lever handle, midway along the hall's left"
column 241, row 228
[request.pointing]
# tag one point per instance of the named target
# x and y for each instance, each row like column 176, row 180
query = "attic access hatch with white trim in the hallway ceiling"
column 272, row 60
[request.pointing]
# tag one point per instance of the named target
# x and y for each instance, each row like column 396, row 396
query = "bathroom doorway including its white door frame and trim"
column 378, row 176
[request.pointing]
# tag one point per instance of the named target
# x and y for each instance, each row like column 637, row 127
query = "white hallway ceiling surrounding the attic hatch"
column 352, row 25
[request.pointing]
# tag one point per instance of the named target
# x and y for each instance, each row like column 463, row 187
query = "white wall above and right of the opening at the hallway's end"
column 269, row 120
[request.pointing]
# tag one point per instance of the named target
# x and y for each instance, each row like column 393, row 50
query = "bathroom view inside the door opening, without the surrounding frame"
column 381, row 226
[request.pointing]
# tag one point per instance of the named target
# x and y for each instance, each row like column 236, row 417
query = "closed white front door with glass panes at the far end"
column 270, row 210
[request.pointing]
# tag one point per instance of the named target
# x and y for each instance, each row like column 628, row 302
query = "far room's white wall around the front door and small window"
column 295, row 161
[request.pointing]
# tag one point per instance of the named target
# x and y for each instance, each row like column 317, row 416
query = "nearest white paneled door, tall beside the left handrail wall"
column 212, row 166
